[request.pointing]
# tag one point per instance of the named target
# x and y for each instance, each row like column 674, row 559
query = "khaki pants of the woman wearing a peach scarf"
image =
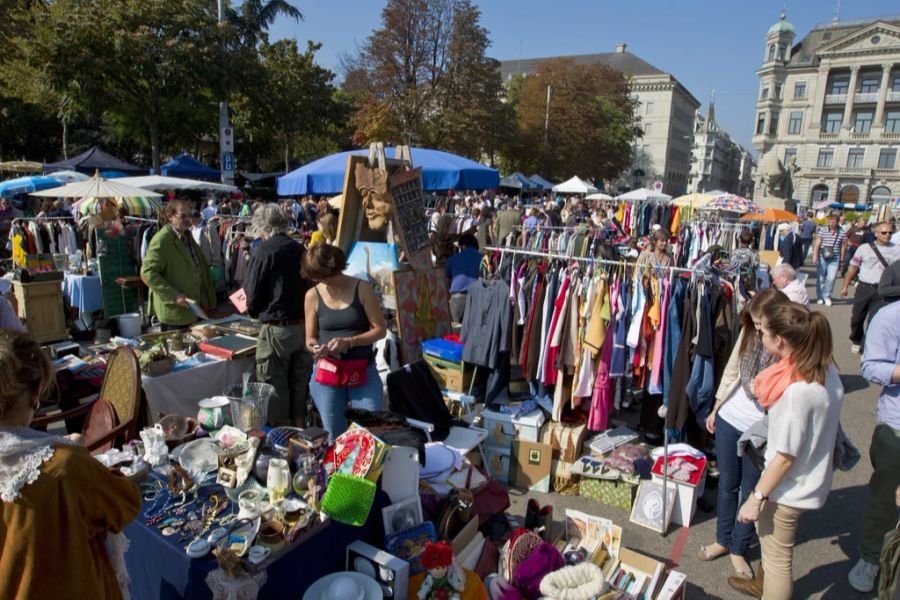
column 777, row 529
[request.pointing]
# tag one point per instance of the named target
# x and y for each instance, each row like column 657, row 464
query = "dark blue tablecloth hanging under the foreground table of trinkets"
column 160, row 569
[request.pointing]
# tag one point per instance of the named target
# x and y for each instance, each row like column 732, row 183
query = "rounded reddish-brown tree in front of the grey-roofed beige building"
column 589, row 131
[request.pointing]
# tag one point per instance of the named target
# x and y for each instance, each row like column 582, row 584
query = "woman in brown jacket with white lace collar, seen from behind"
column 57, row 501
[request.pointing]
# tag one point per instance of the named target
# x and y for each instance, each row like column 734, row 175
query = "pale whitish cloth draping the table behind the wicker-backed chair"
column 179, row 391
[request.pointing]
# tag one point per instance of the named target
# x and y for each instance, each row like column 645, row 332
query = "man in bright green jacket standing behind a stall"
column 175, row 270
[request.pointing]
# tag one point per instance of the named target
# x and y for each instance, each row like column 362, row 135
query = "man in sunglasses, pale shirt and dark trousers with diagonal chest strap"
column 869, row 262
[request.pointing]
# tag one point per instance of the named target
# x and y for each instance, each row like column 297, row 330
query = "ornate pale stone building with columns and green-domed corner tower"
column 828, row 113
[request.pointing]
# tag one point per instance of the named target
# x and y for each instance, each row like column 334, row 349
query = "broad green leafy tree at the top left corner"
column 133, row 58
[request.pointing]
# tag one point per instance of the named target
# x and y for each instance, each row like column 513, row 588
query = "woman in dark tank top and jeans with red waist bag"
column 343, row 321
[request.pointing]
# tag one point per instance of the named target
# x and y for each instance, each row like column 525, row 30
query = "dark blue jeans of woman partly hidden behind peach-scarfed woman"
column 737, row 478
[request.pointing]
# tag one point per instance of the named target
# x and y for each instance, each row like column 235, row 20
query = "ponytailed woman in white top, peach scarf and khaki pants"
column 802, row 394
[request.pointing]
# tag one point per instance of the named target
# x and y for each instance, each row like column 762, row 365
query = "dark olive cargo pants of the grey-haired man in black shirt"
column 283, row 362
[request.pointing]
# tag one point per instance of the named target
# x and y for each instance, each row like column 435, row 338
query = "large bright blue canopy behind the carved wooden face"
column 440, row 171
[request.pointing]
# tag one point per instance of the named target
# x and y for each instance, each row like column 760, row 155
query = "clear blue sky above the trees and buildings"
column 706, row 44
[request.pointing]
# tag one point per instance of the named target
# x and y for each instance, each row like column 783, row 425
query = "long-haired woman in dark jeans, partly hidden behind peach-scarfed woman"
column 735, row 411
